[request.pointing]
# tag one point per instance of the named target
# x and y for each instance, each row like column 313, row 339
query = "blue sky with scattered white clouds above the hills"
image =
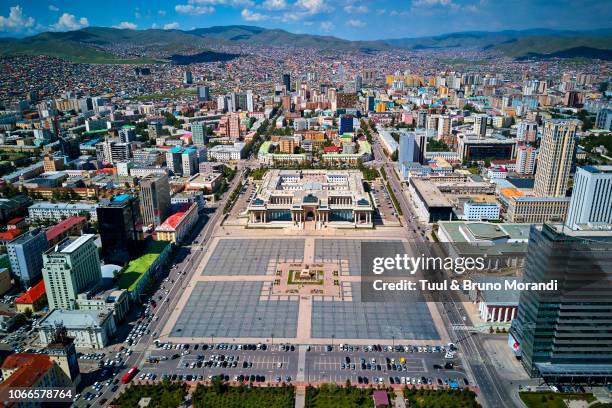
column 352, row 19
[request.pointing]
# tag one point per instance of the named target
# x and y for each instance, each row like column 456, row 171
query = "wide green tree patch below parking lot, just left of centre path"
column 220, row 395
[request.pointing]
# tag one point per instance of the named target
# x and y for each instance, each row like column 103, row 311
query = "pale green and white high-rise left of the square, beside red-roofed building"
column 71, row 267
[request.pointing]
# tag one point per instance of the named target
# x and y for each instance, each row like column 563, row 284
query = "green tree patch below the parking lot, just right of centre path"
column 334, row 396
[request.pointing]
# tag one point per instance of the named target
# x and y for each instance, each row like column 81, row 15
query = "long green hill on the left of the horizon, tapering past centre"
column 91, row 44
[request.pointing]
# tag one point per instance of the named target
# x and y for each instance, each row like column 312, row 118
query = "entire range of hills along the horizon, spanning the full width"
column 96, row 44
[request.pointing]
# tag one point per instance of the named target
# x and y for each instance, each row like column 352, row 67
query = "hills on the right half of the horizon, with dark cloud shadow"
column 516, row 44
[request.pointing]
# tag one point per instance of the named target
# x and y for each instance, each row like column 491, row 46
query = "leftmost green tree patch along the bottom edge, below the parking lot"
column 164, row 395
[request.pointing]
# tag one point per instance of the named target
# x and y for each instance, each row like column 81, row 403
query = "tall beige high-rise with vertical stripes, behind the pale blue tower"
column 555, row 158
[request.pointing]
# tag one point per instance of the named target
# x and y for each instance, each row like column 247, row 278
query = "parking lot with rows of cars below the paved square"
column 359, row 364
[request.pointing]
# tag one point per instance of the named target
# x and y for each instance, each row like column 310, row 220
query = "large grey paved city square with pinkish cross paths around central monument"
column 232, row 297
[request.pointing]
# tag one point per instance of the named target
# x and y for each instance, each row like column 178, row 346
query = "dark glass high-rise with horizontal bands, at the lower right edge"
column 565, row 333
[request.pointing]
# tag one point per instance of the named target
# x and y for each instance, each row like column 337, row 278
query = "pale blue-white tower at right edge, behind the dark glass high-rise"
column 591, row 202
